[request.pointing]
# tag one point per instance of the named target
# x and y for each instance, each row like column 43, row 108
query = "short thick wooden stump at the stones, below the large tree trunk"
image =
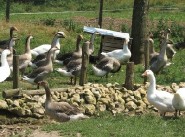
column 129, row 80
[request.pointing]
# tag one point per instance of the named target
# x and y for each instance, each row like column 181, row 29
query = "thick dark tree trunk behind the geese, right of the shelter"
column 139, row 30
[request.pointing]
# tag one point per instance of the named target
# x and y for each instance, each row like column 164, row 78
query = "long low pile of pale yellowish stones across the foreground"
column 90, row 98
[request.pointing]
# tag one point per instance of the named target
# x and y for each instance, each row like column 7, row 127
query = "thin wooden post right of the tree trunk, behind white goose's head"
column 146, row 57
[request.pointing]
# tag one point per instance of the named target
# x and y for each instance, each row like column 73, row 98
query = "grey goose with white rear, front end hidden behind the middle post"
column 72, row 69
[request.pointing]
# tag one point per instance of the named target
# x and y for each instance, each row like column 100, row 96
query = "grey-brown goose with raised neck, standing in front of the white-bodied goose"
column 41, row 72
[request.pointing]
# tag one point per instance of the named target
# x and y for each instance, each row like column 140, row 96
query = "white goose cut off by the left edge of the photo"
column 4, row 69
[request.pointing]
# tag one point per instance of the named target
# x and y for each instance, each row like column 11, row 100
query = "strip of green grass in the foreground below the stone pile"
column 107, row 125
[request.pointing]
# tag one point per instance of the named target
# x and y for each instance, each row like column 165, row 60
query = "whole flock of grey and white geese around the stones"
column 108, row 62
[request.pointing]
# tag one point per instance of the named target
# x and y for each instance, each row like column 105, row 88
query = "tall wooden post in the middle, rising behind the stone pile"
column 85, row 62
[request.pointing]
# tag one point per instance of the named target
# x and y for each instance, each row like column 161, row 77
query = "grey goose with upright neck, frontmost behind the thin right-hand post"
column 161, row 60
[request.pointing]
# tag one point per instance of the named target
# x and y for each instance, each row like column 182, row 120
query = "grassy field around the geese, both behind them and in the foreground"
column 43, row 27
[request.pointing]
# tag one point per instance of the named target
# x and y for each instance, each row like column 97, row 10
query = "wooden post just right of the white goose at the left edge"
column 15, row 71
